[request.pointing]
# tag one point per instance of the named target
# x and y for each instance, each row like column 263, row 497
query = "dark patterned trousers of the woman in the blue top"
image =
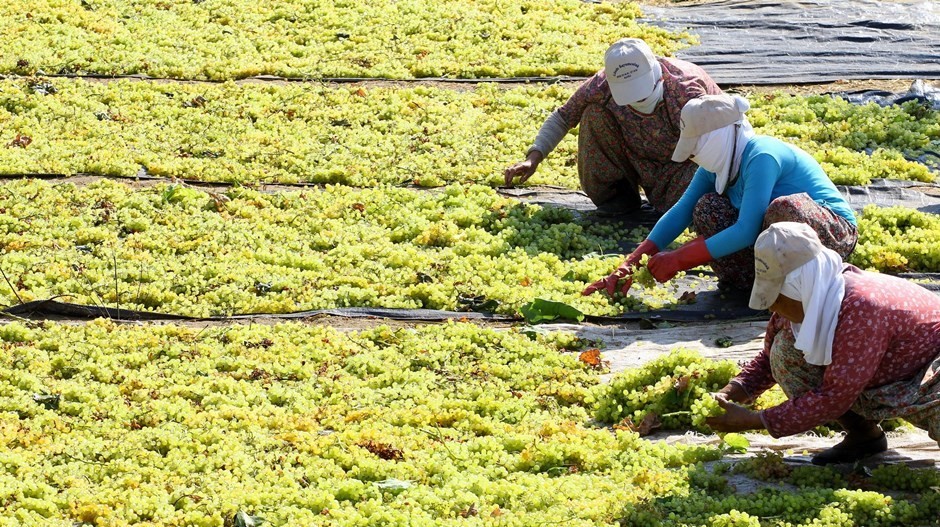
column 714, row 213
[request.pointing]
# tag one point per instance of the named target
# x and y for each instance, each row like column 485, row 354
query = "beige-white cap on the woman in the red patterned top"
column 780, row 249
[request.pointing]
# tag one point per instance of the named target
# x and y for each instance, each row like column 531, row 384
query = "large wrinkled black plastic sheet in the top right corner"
column 772, row 42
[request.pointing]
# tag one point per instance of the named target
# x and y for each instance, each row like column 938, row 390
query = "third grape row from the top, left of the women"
column 176, row 249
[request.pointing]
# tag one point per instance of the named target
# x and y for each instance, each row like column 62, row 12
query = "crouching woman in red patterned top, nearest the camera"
column 843, row 344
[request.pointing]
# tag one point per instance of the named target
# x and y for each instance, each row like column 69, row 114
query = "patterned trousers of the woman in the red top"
column 916, row 400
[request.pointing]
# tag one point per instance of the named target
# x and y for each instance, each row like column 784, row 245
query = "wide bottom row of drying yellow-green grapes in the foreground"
column 108, row 424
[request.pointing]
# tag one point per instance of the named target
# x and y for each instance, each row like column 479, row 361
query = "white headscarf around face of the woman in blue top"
column 713, row 152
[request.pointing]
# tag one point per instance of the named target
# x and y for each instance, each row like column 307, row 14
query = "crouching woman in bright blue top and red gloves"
column 744, row 183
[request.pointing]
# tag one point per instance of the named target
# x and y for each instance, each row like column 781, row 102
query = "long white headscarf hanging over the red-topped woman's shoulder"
column 820, row 287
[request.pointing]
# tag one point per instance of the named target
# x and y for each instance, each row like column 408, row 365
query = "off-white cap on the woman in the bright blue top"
column 703, row 115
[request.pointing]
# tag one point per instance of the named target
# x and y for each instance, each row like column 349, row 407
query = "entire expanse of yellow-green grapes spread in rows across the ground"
column 147, row 167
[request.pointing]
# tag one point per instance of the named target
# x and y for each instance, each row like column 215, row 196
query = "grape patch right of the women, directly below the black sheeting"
column 853, row 143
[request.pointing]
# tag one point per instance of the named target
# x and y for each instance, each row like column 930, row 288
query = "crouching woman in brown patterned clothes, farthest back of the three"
column 629, row 118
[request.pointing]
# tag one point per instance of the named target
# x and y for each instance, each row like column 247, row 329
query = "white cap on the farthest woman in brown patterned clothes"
column 632, row 70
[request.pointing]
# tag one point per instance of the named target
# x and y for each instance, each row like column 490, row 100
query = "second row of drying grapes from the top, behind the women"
column 368, row 136
